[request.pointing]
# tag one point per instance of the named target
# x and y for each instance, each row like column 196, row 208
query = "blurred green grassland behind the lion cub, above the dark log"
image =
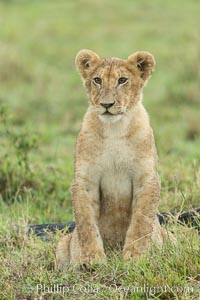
column 42, row 101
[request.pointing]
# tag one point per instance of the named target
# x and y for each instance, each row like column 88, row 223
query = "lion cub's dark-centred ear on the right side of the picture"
column 144, row 62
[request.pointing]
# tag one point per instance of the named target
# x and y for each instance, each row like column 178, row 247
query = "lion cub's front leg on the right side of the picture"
column 139, row 233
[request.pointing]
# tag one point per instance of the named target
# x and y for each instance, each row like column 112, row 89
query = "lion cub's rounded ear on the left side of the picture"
column 86, row 61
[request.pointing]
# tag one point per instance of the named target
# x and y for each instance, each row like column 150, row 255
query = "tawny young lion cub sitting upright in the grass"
column 116, row 187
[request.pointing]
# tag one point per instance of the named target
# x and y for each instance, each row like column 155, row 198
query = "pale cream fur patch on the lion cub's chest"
column 116, row 172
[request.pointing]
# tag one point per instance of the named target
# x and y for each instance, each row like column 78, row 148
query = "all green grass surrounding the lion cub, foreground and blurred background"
column 42, row 104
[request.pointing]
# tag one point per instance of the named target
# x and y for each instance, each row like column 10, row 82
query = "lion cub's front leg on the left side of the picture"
column 86, row 211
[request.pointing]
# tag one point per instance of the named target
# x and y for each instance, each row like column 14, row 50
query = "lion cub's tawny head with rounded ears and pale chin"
column 114, row 85
